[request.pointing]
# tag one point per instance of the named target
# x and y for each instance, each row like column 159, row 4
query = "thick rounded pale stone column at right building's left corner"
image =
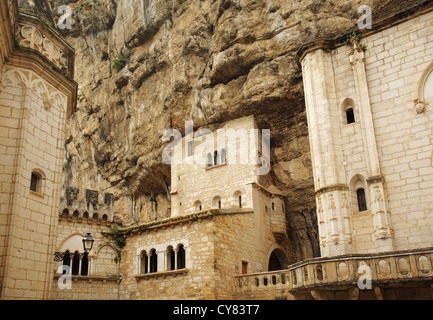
column 327, row 154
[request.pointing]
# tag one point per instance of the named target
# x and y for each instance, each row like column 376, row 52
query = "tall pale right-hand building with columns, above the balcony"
column 370, row 137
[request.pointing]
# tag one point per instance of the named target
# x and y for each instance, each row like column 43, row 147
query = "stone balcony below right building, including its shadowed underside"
column 337, row 278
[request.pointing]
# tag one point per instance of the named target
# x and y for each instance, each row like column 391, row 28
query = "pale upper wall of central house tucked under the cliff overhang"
column 193, row 182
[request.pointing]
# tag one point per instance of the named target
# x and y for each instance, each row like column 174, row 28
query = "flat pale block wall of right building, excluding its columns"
column 396, row 59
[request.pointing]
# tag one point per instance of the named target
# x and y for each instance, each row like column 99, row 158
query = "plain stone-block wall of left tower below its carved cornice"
column 32, row 115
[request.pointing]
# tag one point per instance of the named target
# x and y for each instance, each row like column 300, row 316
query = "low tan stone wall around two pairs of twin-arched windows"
column 198, row 279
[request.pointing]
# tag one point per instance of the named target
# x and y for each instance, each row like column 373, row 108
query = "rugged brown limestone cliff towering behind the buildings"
column 203, row 60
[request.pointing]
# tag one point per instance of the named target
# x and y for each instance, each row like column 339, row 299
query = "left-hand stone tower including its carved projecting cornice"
column 37, row 94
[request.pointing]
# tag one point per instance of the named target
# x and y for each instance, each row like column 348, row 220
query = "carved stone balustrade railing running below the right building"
column 340, row 273
